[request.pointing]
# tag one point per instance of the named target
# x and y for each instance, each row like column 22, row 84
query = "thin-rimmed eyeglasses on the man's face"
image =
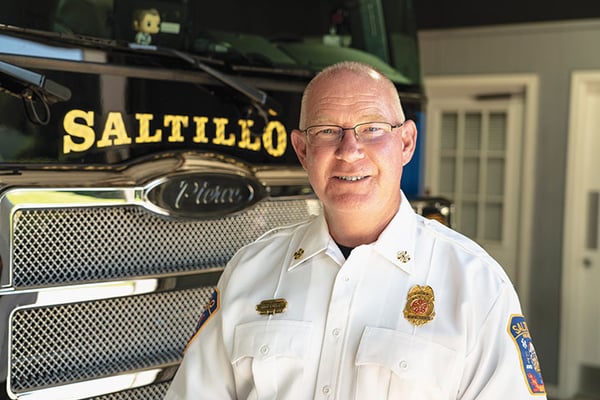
column 330, row 135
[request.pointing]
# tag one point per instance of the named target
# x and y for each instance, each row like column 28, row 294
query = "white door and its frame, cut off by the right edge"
column 580, row 335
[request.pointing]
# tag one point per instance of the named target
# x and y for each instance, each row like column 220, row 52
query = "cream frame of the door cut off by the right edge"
column 582, row 82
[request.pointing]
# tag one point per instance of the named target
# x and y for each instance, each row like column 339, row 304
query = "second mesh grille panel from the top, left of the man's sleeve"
column 68, row 343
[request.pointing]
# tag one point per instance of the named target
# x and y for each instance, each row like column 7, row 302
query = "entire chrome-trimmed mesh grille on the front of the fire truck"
column 54, row 249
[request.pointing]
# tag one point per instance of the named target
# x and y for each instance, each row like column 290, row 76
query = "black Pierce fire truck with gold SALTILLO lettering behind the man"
column 141, row 144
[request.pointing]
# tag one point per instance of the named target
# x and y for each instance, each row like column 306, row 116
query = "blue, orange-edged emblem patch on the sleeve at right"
column 519, row 332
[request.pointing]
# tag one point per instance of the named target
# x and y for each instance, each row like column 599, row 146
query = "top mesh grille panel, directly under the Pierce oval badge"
column 63, row 245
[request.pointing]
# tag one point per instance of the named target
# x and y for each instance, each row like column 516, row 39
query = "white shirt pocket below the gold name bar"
column 268, row 358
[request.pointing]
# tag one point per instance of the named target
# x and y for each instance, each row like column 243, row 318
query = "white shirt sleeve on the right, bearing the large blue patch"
column 502, row 363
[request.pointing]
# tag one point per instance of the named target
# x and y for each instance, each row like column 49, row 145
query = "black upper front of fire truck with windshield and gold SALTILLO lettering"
column 126, row 103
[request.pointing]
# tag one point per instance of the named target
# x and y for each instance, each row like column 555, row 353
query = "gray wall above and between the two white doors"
column 552, row 51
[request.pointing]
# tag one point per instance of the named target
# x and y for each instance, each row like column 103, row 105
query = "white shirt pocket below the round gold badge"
column 392, row 364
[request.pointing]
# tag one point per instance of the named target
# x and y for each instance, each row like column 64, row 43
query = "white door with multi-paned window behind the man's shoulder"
column 475, row 145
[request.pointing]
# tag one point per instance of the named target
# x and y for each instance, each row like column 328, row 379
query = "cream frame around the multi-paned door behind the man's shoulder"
column 528, row 86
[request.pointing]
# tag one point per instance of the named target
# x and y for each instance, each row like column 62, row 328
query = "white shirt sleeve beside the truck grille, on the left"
column 206, row 371
